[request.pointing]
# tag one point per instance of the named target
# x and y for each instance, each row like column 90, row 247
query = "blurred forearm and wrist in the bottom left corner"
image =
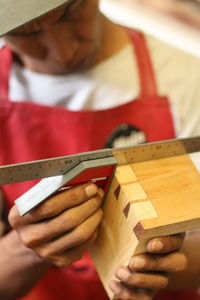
column 20, row 267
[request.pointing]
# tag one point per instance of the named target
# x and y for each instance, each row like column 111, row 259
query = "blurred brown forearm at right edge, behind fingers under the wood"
column 190, row 278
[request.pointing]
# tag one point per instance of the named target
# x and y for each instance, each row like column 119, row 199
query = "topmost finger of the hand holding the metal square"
column 55, row 205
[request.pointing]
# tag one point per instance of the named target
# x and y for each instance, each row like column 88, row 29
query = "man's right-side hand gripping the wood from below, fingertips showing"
column 147, row 273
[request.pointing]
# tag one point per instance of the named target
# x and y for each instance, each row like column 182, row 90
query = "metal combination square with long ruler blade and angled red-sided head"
column 95, row 165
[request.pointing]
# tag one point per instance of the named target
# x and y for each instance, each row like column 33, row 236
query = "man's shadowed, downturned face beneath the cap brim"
column 62, row 41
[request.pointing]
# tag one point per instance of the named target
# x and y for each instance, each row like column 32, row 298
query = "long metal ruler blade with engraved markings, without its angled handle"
column 61, row 165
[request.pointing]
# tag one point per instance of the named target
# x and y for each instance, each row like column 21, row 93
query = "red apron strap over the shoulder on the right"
column 146, row 73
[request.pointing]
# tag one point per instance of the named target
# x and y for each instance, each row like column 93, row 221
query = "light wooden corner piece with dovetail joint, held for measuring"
column 162, row 197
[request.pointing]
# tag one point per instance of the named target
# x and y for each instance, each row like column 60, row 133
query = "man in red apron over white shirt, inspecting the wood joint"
column 65, row 88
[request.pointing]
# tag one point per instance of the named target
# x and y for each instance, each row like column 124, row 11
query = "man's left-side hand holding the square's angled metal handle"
column 62, row 228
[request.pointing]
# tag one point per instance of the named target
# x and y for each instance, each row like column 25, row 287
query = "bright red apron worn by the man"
column 31, row 131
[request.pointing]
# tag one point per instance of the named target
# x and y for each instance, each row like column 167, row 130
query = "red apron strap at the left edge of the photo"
column 5, row 62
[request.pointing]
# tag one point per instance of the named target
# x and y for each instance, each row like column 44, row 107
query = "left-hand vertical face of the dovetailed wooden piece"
column 110, row 250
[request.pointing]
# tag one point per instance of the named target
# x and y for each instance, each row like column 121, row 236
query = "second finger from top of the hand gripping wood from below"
column 173, row 262
